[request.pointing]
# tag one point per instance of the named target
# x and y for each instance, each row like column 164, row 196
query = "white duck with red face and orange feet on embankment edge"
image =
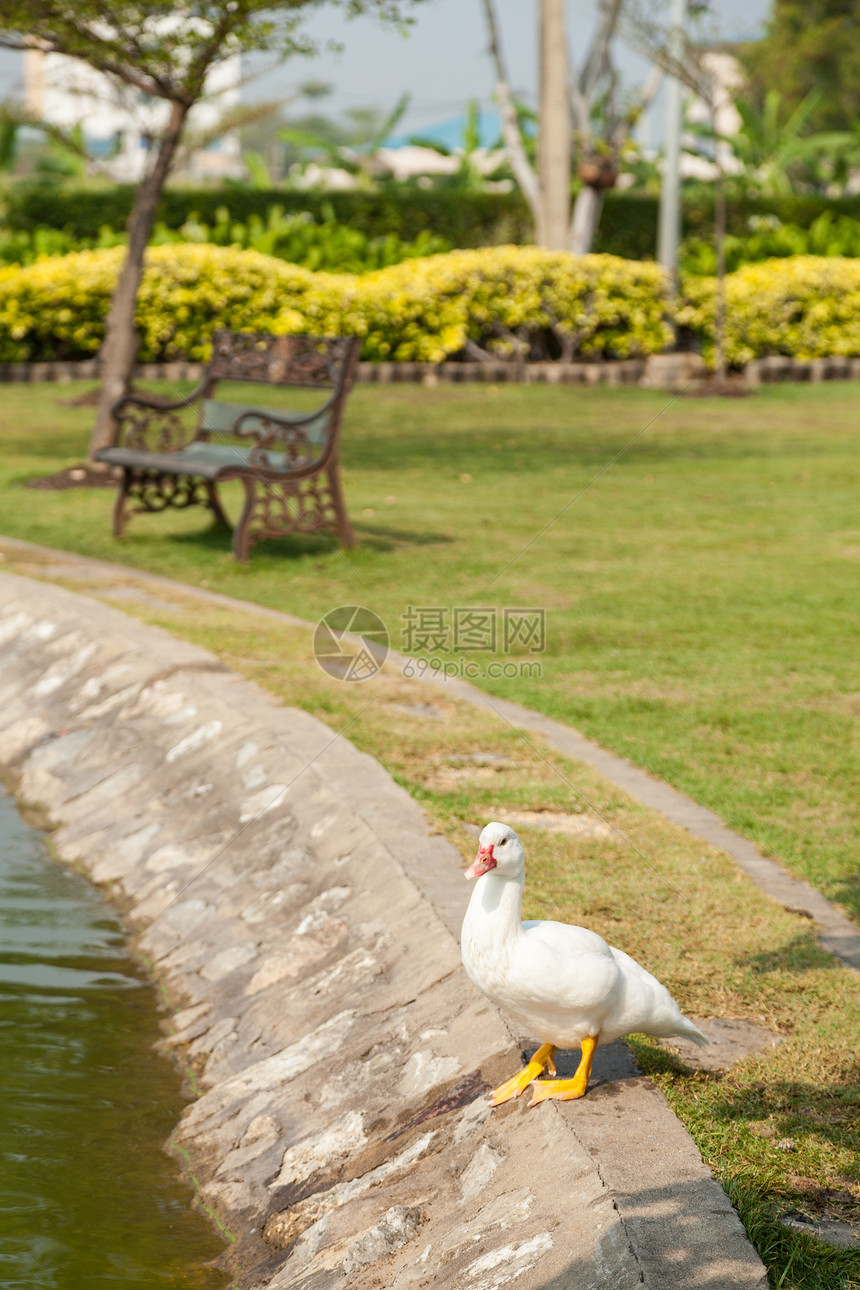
column 564, row 985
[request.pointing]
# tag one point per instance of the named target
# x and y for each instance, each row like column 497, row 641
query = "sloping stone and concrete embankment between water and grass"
column 302, row 922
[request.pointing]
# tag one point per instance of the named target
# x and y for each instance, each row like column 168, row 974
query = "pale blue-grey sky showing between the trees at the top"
column 443, row 59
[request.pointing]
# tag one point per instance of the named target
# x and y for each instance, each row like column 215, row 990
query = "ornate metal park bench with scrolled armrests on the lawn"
column 289, row 470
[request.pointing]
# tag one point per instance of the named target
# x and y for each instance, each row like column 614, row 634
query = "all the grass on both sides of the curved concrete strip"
column 701, row 599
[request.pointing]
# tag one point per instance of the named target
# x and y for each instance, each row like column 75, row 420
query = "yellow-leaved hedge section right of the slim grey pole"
column 804, row 306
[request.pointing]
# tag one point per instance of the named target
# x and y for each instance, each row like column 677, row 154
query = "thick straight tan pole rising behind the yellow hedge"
column 554, row 143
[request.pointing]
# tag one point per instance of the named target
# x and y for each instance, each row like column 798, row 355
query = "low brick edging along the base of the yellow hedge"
column 658, row 372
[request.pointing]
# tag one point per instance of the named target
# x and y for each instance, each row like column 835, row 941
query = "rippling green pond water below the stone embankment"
column 88, row 1198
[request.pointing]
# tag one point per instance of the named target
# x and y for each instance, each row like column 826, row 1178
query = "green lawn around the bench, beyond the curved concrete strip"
column 702, row 591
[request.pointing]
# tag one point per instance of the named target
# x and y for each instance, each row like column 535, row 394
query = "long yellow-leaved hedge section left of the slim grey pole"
column 510, row 301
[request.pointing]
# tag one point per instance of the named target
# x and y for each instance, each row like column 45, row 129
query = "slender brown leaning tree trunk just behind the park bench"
column 121, row 346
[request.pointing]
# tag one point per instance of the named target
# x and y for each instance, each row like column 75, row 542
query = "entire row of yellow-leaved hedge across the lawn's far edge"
column 503, row 301
